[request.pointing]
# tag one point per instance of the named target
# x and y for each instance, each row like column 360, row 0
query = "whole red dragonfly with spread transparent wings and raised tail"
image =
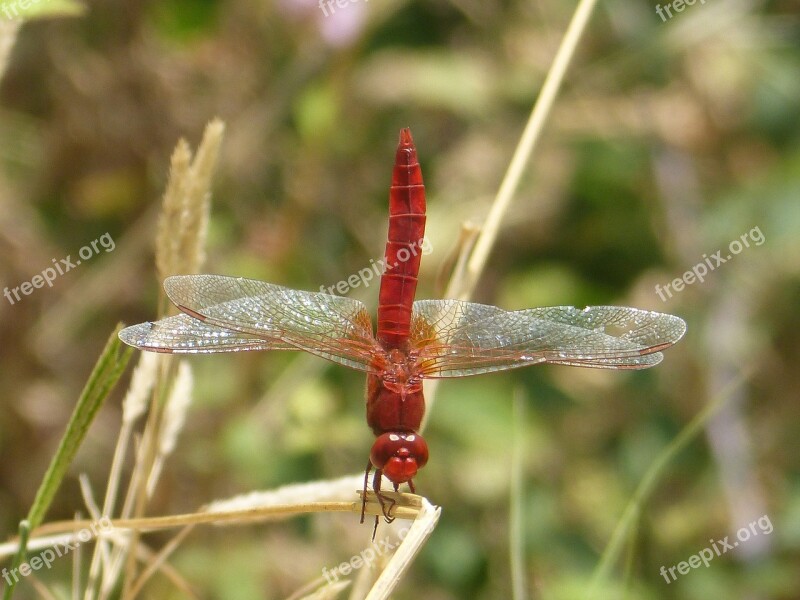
column 414, row 340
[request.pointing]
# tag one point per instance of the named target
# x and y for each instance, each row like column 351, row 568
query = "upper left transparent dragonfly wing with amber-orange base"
column 263, row 316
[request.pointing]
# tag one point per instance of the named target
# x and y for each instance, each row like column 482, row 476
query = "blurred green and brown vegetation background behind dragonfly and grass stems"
column 672, row 138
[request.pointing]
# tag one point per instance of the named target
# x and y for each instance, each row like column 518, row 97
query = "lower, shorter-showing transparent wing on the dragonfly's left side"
column 183, row 334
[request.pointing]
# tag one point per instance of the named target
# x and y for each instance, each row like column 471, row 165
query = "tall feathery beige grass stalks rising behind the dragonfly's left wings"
column 180, row 245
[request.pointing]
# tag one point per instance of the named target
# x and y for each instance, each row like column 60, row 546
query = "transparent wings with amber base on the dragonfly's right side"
column 457, row 338
